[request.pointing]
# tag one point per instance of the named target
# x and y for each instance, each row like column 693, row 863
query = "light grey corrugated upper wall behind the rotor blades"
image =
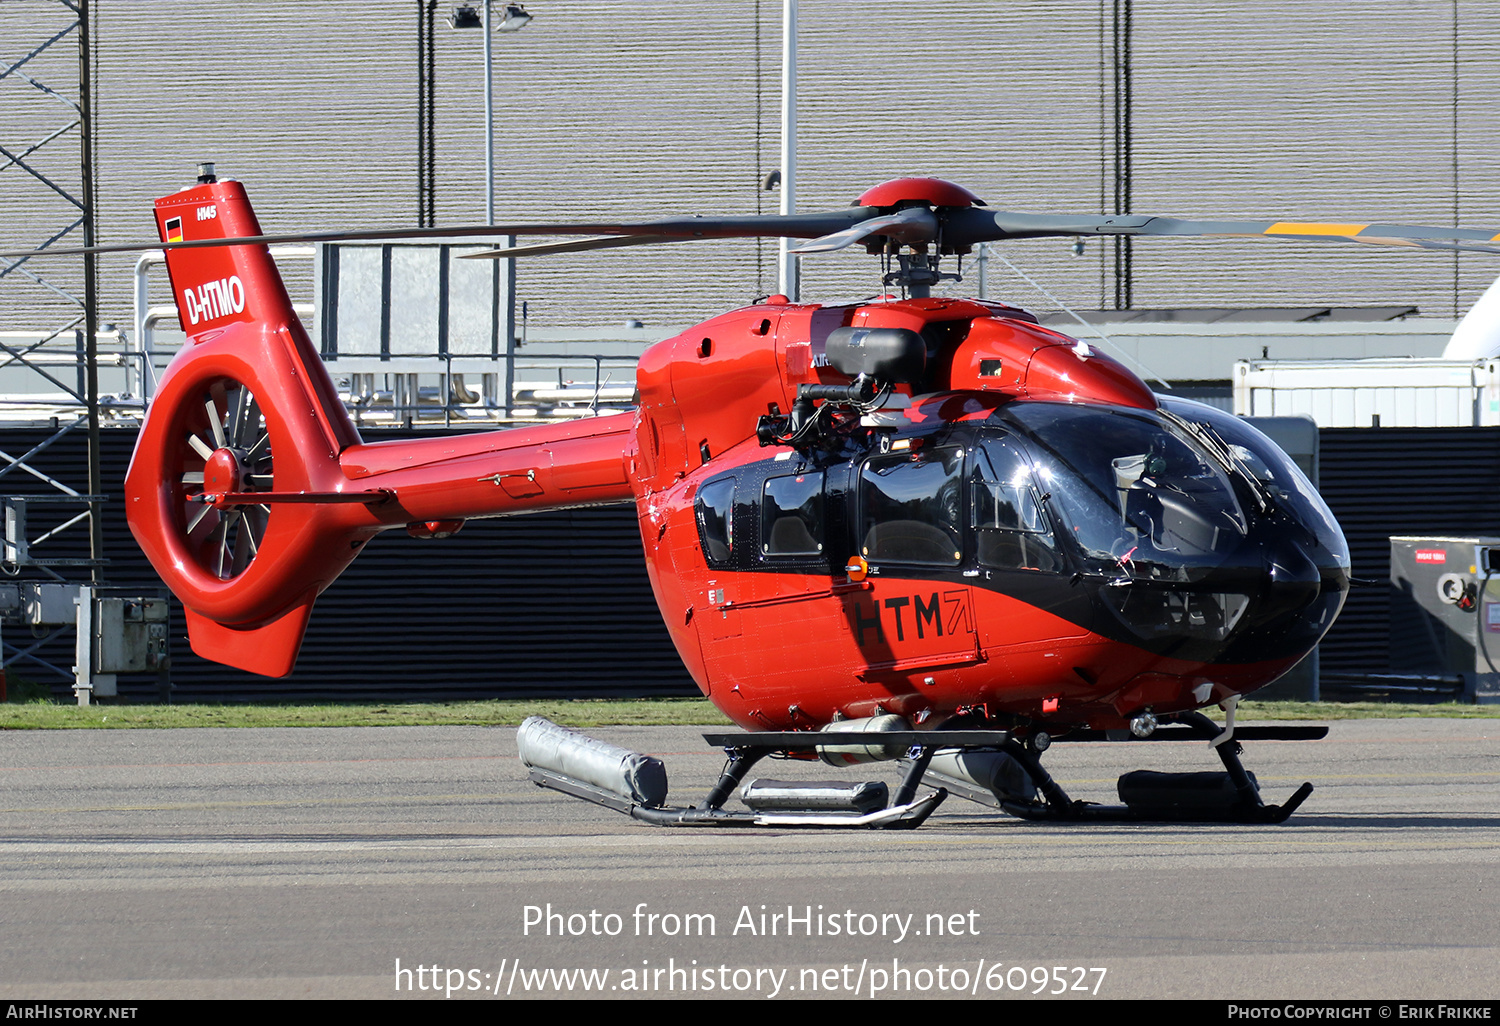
column 1358, row 110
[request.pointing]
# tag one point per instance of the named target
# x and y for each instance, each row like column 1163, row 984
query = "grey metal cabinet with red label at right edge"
column 1445, row 611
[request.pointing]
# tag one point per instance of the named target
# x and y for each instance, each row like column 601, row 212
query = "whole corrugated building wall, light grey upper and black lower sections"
column 1361, row 110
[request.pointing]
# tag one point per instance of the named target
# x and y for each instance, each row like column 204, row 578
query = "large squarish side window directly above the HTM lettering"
column 911, row 508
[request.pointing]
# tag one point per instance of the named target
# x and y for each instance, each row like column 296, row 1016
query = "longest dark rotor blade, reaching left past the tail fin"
column 809, row 226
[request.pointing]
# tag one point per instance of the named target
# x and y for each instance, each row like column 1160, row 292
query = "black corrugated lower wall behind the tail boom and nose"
column 559, row 604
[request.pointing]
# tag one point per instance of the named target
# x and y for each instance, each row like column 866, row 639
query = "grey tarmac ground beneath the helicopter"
column 422, row 863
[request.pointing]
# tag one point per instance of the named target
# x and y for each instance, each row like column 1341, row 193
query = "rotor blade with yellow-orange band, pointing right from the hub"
column 970, row 227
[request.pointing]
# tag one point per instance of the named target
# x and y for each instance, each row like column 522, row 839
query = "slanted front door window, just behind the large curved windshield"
column 1010, row 526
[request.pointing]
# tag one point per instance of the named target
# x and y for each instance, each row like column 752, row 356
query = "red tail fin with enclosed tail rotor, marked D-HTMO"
column 245, row 409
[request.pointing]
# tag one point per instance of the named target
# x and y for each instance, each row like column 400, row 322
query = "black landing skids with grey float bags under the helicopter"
column 1229, row 797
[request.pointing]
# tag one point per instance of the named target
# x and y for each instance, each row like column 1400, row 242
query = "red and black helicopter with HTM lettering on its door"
column 914, row 527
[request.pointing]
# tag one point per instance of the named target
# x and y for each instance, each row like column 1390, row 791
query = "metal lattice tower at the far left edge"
column 47, row 100
